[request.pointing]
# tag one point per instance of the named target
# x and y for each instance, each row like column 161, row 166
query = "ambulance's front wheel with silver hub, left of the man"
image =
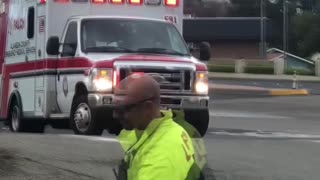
column 83, row 120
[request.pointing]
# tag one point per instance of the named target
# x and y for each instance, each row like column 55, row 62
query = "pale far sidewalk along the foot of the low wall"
column 213, row 75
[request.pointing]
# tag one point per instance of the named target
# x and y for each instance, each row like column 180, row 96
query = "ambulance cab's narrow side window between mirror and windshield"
column 70, row 41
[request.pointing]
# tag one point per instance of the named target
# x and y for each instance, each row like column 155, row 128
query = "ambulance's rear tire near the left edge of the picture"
column 19, row 124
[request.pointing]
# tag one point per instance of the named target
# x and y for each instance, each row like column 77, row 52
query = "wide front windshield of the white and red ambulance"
column 131, row 36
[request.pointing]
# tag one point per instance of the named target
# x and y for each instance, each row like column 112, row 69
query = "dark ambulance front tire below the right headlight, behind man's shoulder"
column 199, row 119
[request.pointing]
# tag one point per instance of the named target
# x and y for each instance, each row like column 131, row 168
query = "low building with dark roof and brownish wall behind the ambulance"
column 230, row 37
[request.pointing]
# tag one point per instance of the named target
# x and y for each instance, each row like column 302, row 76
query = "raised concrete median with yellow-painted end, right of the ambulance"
column 255, row 91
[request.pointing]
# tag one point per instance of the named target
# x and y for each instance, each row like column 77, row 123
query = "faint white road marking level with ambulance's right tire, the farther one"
column 232, row 114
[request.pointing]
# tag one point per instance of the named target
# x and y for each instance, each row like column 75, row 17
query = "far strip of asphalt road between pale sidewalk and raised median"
column 314, row 87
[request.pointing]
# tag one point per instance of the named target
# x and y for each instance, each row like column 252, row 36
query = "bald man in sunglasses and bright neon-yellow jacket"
column 157, row 147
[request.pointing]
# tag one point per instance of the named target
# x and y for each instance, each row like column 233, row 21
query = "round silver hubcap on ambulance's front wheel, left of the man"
column 82, row 117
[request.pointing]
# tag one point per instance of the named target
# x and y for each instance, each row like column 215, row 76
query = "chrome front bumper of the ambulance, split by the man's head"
column 167, row 101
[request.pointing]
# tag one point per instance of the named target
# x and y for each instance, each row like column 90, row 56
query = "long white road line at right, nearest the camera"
column 270, row 135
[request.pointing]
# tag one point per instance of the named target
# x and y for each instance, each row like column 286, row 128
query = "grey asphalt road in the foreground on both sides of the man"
column 249, row 138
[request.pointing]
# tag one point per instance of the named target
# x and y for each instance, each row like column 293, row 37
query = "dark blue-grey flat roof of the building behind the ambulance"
column 224, row 28
